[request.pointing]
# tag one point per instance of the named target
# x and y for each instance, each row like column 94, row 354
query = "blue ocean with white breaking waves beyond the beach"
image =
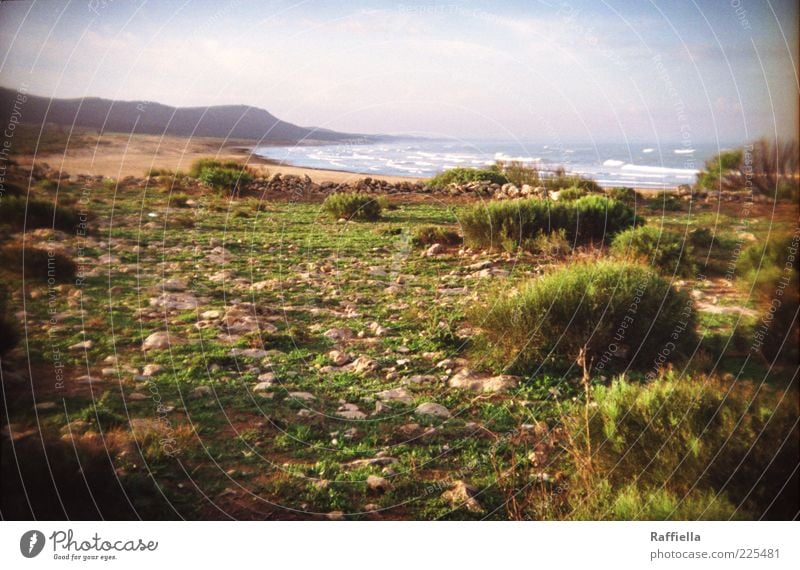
column 637, row 165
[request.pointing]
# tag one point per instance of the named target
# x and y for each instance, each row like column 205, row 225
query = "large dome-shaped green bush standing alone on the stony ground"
column 623, row 314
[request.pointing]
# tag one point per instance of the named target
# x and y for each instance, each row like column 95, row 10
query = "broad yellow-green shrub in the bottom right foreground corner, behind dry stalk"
column 689, row 436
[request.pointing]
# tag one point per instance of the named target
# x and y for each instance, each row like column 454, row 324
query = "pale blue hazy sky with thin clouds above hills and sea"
column 686, row 71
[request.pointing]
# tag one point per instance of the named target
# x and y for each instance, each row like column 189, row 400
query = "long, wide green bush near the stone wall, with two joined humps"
column 513, row 223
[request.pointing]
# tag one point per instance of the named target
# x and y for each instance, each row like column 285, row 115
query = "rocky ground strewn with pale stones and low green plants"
column 261, row 360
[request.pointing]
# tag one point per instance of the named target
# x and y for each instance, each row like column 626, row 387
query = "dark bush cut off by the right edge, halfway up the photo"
column 771, row 270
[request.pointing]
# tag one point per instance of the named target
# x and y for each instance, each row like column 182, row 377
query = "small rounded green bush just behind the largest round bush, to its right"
column 662, row 249
